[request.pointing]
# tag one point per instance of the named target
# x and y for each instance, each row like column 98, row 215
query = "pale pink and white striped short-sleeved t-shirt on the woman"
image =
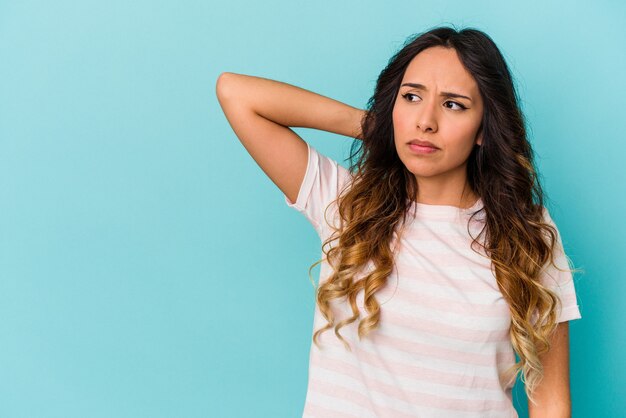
column 442, row 344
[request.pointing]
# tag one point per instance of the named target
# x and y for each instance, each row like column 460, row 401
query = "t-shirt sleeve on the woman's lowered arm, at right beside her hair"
column 561, row 281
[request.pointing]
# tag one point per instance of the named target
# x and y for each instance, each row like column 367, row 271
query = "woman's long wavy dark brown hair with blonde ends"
column 517, row 237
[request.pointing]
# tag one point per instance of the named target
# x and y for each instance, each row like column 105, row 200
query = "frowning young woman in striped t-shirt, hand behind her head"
column 440, row 261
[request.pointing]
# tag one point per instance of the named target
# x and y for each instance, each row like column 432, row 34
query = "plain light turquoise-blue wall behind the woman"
column 149, row 268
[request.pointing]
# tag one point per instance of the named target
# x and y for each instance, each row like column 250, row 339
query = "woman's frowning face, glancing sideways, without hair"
column 429, row 113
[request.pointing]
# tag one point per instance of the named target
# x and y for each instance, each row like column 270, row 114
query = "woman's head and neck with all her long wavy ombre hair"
column 483, row 151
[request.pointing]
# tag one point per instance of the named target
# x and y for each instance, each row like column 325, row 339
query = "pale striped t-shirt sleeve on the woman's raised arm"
column 323, row 181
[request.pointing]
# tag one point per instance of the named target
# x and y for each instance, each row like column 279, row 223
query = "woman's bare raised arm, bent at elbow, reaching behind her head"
column 261, row 110
